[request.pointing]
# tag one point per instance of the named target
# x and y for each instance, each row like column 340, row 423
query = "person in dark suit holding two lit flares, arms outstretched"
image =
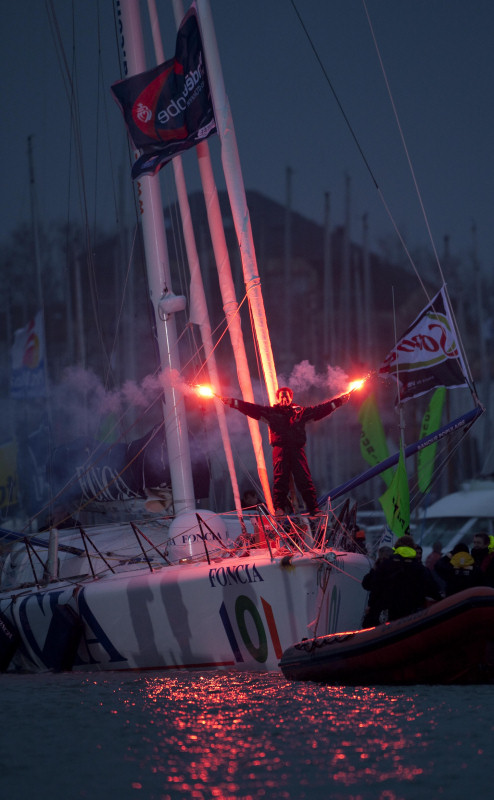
column 286, row 422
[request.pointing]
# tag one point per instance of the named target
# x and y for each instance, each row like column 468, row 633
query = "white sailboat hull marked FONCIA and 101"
column 235, row 613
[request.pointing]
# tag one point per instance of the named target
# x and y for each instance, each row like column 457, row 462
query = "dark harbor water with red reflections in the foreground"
column 216, row 735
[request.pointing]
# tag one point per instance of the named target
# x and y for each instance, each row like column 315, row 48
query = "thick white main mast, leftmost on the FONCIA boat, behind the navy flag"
column 159, row 279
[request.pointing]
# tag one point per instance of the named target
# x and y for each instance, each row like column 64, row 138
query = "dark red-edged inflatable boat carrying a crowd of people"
column 451, row 642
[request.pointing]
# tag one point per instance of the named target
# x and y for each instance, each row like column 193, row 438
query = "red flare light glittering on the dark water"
column 225, row 736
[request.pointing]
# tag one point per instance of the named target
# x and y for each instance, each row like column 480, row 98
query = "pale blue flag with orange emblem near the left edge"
column 27, row 377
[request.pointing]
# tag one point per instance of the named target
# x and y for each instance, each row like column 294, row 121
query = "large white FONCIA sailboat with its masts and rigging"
column 196, row 589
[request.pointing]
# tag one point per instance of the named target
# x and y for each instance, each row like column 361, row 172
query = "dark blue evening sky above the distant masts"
column 439, row 62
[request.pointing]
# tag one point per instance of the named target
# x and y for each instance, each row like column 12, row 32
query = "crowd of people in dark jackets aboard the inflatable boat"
column 399, row 583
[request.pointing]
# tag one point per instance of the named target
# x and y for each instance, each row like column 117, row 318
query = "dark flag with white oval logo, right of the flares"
column 428, row 354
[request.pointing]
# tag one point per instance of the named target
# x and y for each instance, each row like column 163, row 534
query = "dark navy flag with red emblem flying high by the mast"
column 168, row 109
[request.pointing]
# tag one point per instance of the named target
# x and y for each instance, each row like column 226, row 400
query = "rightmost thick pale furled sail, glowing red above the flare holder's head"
column 236, row 194
